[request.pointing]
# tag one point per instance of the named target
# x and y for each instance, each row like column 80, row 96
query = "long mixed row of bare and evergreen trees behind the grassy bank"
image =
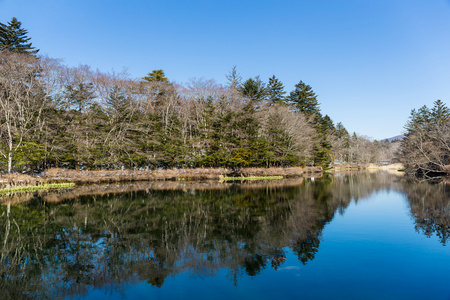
column 54, row 115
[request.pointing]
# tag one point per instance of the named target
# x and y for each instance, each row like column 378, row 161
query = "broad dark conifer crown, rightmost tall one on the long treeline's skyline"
column 304, row 100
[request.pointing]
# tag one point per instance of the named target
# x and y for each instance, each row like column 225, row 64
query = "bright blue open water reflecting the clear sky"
column 370, row 252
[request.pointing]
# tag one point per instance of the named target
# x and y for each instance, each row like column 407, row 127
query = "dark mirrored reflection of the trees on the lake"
column 63, row 244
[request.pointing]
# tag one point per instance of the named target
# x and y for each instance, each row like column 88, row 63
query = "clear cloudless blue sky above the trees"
column 369, row 61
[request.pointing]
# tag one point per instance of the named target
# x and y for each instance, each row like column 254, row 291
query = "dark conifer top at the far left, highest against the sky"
column 14, row 38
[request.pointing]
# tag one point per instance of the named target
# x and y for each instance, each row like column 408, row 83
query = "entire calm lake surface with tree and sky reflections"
column 352, row 236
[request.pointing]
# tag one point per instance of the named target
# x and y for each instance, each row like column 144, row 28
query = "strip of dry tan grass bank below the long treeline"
column 54, row 176
